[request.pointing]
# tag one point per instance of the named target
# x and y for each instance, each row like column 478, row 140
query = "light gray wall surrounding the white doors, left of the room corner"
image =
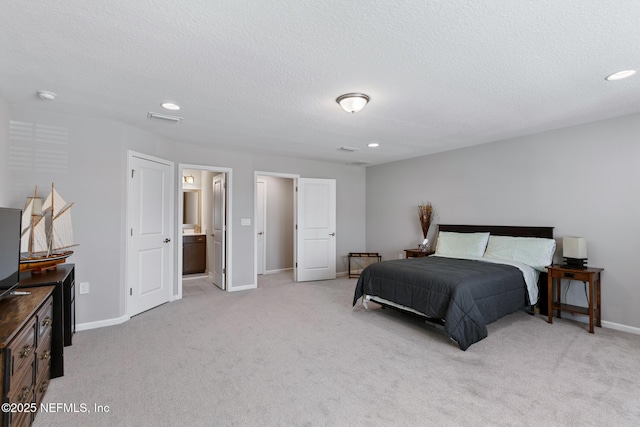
column 91, row 170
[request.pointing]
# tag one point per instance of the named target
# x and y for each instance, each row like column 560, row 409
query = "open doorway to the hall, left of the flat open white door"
column 274, row 225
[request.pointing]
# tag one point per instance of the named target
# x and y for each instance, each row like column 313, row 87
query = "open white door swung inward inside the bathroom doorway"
column 219, row 232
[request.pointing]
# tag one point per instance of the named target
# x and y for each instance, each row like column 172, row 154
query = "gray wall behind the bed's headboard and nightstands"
column 584, row 181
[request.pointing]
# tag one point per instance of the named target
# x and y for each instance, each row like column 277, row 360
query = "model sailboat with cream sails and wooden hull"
column 47, row 232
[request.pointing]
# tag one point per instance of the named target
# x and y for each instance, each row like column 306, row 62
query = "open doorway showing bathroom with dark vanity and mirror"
column 204, row 232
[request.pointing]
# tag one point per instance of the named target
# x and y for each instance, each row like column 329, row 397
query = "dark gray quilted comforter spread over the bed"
column 466, row 294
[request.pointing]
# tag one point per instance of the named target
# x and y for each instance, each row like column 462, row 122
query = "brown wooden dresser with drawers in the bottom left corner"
column 26, row 327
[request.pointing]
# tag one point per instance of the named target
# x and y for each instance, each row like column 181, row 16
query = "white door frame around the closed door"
column 130, row 155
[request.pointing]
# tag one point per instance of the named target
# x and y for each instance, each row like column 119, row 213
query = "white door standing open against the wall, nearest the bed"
column 316, row 229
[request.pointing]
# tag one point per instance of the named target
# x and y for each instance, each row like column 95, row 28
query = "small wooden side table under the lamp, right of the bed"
column 590, row 275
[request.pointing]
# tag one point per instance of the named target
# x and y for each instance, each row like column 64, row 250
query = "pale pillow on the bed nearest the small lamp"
column 532, row 251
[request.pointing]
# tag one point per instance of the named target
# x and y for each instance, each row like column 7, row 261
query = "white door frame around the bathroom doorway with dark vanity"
column 180, row 210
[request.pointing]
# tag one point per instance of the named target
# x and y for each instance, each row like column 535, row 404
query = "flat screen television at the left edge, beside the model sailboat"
column 10, row 226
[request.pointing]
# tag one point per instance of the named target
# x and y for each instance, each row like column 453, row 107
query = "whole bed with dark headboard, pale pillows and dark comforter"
column 477, row 275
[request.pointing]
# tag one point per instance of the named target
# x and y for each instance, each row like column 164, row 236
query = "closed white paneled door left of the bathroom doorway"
column 150, row 219
